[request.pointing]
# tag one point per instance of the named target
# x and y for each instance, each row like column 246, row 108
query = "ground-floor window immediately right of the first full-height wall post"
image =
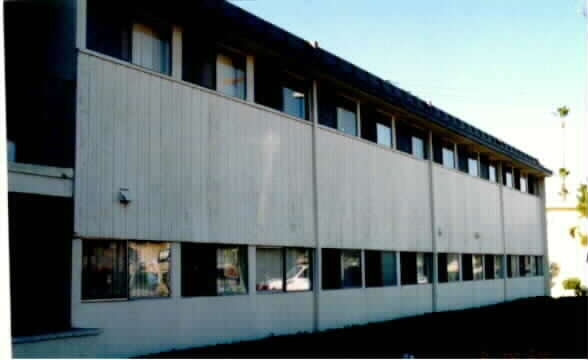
column 341, row 269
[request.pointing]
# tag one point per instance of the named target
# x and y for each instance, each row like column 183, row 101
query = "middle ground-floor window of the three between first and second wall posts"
column 381, row 268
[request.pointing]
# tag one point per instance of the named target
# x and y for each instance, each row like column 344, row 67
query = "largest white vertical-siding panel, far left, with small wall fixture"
column 199, row 166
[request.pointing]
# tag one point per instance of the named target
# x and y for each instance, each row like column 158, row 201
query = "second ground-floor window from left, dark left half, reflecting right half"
column 213, row 269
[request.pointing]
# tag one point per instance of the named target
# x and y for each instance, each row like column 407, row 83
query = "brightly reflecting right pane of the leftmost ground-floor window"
column 149, row 267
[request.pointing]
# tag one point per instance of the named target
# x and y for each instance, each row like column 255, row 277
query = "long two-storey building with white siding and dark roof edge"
column 185, row 173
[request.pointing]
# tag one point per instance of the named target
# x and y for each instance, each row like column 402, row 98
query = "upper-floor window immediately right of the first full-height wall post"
column 337, row 112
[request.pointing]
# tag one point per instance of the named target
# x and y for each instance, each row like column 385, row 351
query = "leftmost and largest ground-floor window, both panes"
column 122, row 269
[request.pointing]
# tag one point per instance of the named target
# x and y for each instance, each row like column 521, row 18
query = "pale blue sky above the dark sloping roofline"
column 504, row 66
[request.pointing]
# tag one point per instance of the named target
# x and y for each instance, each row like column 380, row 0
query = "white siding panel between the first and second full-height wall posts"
column 370, row 197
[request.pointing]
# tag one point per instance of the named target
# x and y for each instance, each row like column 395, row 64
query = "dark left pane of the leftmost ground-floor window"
column 104, row 269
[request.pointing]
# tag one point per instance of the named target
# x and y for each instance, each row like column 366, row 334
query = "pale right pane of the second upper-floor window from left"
column 232, row 75
